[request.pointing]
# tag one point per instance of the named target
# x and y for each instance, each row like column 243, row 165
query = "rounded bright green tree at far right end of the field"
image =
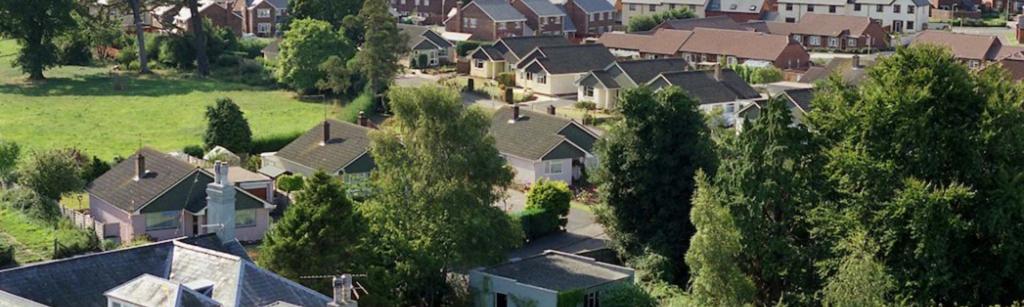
column 305, row 49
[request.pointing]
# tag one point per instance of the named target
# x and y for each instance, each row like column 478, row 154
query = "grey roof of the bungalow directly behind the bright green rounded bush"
column 533, row 136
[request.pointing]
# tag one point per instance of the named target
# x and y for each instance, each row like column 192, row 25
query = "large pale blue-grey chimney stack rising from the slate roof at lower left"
column 221, row 203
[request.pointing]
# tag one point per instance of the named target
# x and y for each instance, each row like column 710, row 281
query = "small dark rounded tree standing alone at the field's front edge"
column 227, row 126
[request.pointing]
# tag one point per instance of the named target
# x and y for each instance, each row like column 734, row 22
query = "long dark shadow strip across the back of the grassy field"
column 122, row 85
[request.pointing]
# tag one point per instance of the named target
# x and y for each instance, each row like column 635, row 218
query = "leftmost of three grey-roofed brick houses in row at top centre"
column 487, row 21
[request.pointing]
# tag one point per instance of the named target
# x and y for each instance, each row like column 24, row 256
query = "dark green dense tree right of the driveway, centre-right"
column 647, row 174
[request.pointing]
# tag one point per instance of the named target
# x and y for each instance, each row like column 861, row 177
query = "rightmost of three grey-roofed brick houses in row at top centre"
column 592, row 18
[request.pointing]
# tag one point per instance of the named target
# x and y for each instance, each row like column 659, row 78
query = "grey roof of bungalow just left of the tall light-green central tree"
column 349, row 143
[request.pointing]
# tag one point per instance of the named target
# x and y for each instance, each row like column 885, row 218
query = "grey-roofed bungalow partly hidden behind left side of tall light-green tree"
column 338, row 149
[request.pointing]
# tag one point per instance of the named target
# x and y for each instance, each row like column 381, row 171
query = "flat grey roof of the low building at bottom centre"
column 562, row 272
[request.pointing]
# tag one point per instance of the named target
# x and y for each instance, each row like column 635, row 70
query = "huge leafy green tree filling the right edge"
column 927, row 158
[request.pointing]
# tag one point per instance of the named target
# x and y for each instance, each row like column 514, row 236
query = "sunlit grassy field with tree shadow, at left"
column 79, row 107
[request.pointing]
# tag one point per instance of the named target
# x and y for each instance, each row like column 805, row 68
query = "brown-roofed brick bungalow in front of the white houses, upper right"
column 834, row 32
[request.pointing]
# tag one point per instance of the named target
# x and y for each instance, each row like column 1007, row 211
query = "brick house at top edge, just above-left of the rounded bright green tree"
column 262, row 18
